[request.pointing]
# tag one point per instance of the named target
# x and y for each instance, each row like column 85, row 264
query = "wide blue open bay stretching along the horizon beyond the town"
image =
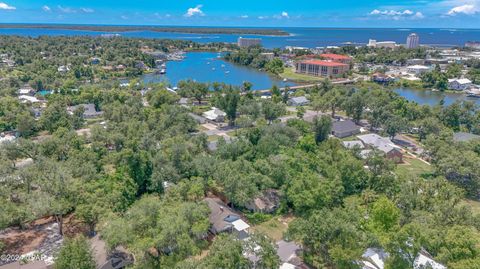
column 302, row 37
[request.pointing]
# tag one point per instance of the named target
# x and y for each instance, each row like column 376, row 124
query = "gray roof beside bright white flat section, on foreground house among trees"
column 221, row 216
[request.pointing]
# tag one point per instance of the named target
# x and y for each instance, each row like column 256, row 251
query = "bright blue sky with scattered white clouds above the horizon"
column 261, row 13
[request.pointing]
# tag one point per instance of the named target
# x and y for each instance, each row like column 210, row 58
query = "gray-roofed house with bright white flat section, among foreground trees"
column 223, row 219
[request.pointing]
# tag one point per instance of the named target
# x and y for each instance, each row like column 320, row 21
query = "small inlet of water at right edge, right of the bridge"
column 433, row 98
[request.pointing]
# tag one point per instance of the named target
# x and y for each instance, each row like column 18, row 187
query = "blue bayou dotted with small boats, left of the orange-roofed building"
column 207, row 67
